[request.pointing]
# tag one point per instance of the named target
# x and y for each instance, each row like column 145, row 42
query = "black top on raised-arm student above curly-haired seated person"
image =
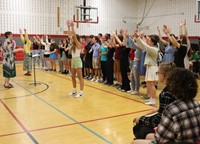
column 179, row 56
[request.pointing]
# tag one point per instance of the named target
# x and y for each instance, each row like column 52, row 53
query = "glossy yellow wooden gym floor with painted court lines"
column 45, row 114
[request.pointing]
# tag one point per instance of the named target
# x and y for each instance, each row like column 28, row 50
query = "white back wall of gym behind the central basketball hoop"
column 40, row 16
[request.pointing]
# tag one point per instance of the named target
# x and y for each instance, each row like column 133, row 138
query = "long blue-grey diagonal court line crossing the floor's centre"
column 66, row 115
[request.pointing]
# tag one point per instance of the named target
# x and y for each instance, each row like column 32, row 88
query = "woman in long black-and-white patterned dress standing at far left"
column 9, row 70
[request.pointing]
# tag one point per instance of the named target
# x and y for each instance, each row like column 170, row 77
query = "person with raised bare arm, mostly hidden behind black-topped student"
column 186, row 59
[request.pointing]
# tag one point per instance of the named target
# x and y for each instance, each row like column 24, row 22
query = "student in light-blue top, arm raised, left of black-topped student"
column 169, row 49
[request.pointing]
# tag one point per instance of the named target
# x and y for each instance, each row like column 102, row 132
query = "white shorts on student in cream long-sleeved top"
column 151, row 73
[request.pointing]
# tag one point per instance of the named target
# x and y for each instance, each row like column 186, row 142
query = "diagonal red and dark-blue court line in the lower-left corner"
column 19, row 122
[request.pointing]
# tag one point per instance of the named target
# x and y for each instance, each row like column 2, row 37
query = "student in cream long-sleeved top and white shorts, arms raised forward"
column 150, row 62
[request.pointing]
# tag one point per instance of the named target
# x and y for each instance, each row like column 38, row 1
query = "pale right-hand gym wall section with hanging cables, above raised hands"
column 169, row 12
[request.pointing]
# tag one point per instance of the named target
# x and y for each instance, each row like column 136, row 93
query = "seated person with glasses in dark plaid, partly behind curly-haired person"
column 146, row 124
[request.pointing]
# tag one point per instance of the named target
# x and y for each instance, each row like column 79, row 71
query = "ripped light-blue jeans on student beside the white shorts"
column 135, row 76
